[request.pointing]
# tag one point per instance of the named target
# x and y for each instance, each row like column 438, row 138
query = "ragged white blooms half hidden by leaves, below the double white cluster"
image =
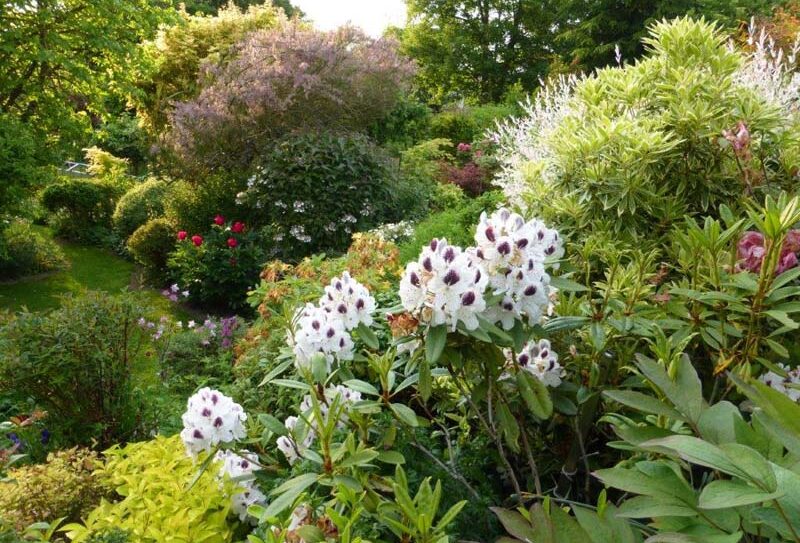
column 303, row 430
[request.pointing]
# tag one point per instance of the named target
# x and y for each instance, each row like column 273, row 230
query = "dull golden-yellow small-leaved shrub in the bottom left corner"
column 65, row 486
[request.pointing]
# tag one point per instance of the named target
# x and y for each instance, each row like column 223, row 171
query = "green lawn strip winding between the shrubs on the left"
column 90, row 268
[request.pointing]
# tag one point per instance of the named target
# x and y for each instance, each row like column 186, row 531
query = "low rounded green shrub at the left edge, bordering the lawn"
column 24, row 251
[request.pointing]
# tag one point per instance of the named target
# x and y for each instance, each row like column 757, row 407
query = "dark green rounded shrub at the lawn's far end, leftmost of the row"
column 81, row 209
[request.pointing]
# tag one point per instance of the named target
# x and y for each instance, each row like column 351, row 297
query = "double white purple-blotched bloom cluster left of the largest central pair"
column 324, row 329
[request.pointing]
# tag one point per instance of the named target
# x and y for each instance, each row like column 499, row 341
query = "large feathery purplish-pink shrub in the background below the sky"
column 286, row 79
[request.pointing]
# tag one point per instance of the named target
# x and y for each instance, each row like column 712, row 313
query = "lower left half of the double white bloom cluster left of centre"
column 319, row 331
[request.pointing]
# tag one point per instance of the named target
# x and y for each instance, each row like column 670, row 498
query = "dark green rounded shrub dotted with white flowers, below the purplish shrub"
column 317, row 189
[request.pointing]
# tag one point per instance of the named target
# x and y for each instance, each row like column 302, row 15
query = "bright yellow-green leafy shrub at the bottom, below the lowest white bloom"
column 152, row 479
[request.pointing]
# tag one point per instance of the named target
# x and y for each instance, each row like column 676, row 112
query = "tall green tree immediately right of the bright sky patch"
column 478, row 48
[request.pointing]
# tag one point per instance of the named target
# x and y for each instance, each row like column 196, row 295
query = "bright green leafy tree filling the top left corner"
column 61, row 59
